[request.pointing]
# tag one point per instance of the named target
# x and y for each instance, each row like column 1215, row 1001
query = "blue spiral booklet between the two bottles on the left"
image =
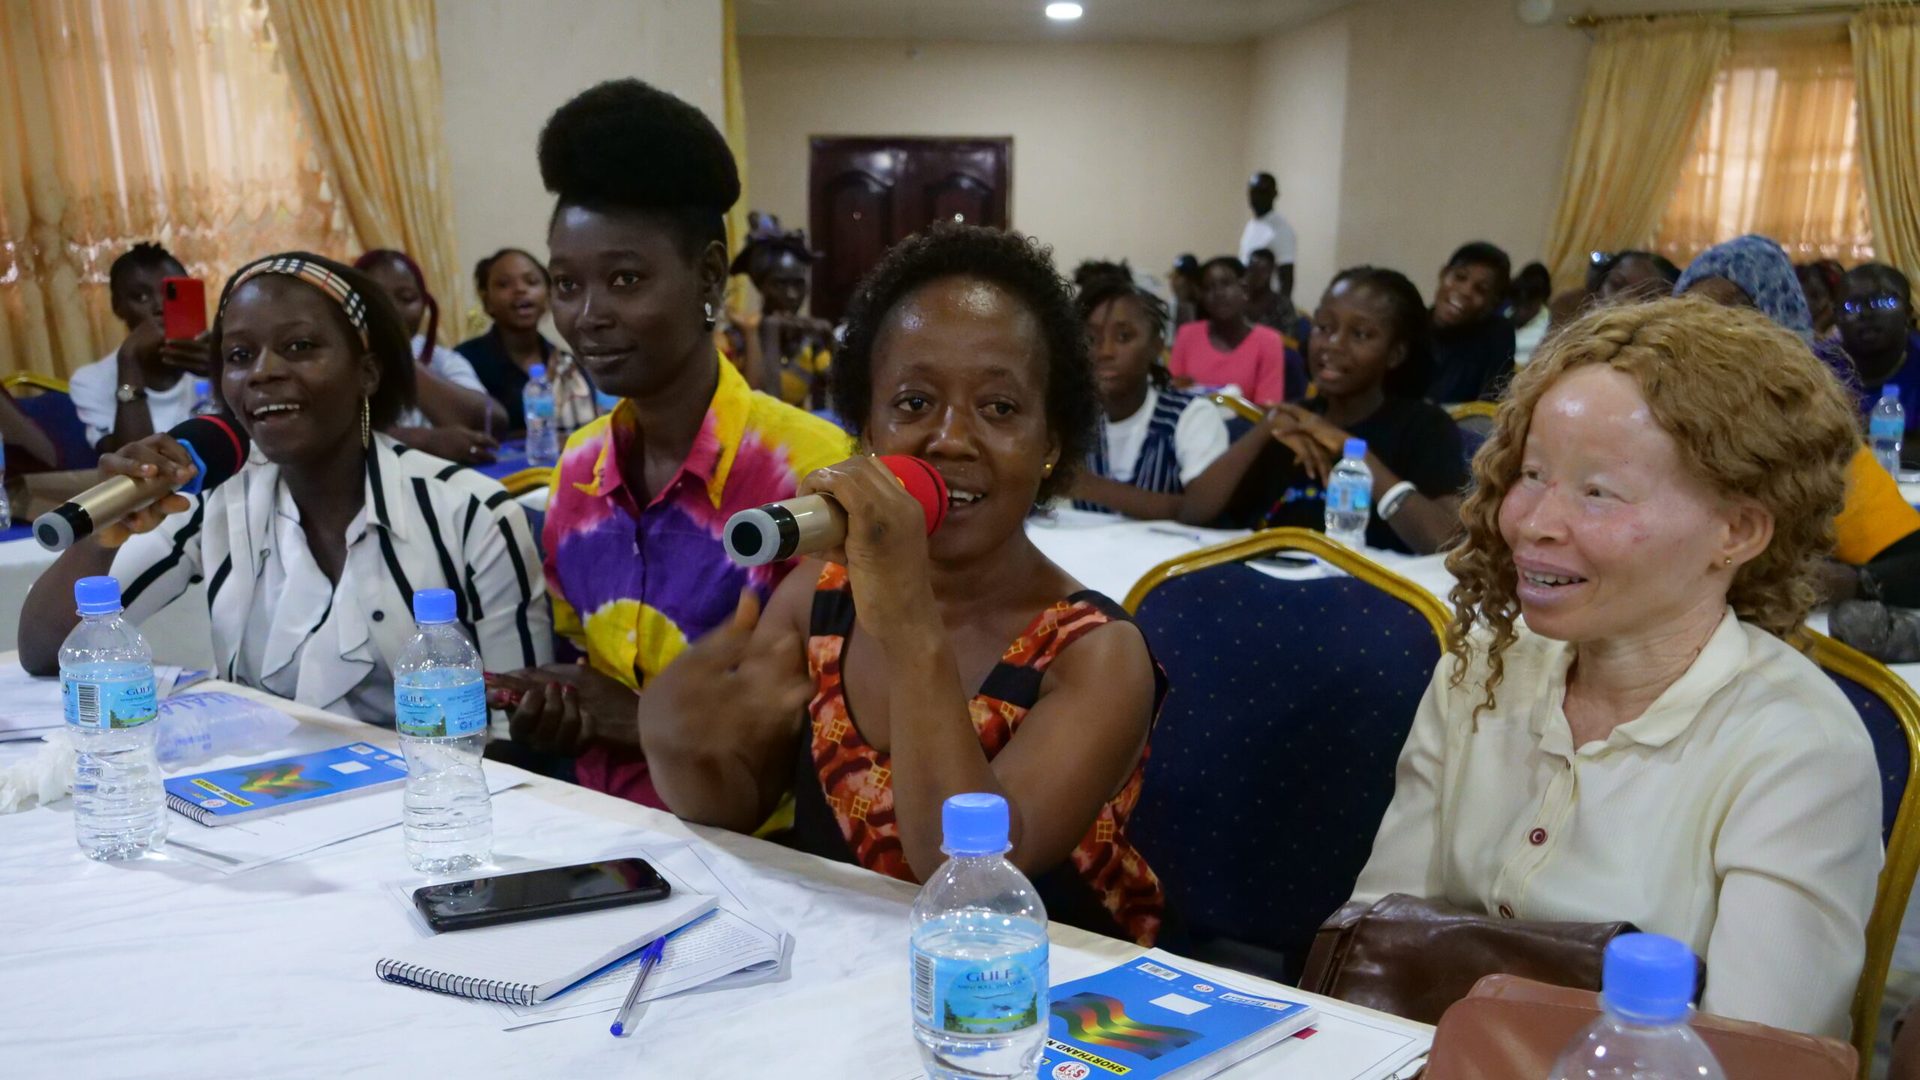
column 224, row 797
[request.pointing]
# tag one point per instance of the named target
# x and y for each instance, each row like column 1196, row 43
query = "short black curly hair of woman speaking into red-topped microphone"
column 1019, row 266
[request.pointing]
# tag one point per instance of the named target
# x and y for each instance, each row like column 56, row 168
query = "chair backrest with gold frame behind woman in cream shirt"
column 1890, row 710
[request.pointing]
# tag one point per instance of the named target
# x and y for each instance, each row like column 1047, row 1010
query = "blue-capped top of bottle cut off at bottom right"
column 1646, row 985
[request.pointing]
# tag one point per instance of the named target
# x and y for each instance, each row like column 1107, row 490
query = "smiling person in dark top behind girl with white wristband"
column 1474, row 345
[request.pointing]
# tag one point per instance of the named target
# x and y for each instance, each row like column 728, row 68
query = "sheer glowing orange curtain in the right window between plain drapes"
column 1775, row 155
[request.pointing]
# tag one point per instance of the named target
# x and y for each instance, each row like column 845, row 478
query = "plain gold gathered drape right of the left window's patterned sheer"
column 368, row 74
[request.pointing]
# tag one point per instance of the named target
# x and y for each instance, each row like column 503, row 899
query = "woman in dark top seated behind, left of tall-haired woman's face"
column 514, row 293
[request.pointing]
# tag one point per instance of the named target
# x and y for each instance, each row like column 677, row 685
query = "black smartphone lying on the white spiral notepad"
column 539, row 895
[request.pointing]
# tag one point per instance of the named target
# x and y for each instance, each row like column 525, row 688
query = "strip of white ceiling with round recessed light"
column 1022, row 20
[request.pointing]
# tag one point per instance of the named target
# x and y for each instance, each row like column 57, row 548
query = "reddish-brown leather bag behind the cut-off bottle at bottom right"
column 1514, row 1029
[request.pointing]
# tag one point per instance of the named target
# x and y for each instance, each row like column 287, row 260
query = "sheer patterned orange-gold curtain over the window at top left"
column 164, row 120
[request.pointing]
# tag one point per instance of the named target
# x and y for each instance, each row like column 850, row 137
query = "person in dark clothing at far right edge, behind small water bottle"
column 1877, row 328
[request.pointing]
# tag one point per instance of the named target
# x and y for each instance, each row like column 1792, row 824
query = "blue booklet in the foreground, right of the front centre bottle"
column 1149, row 1021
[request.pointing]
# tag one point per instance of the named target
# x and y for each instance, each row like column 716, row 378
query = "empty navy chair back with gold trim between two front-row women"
column 1274, row 758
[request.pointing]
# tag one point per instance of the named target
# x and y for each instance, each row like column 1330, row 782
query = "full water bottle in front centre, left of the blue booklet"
column 980, row 987
